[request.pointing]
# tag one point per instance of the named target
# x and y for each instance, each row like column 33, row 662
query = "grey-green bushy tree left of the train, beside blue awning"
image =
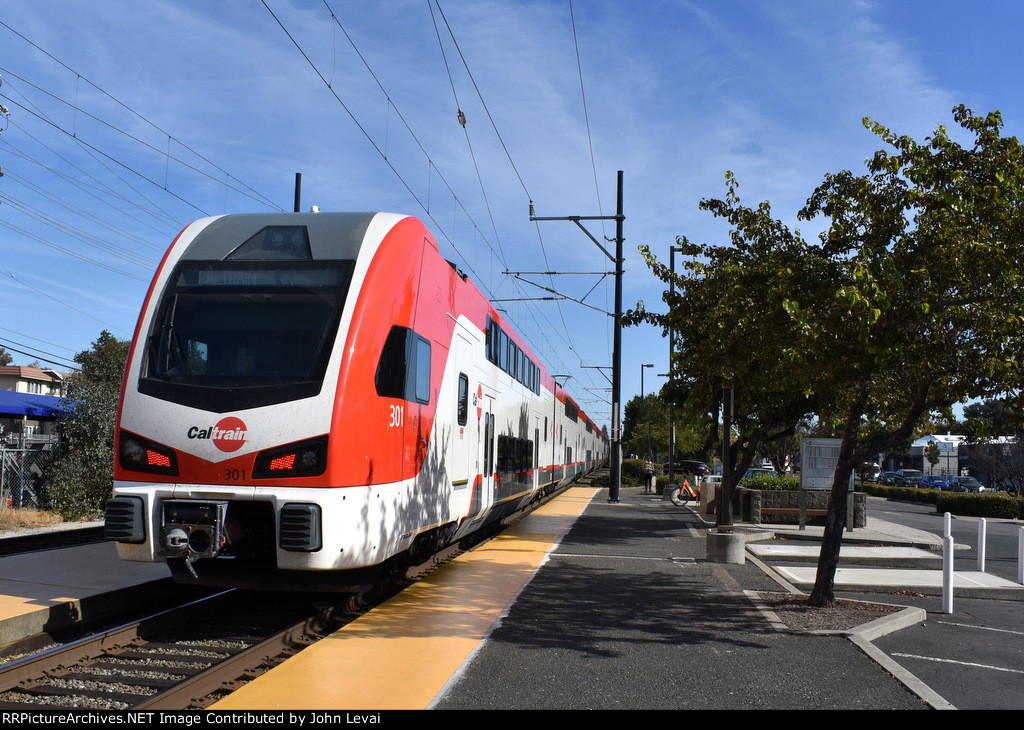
column 82, row 477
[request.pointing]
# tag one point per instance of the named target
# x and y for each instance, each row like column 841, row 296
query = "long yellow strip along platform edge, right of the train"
column 402, row 655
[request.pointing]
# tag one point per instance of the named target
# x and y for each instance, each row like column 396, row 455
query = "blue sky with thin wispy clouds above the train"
column 127, row 120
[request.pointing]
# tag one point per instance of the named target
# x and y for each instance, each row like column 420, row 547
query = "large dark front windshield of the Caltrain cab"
column 230, row 335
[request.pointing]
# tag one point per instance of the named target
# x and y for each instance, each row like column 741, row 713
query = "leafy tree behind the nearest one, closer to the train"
column 732, row 328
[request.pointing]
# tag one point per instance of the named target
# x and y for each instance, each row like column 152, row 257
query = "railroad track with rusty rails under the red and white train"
column 190, row 657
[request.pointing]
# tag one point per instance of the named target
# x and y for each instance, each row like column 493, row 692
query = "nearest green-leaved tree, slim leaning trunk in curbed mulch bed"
column 925, row 310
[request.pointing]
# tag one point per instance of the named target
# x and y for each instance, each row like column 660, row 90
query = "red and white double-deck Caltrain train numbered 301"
column 312, row 396
